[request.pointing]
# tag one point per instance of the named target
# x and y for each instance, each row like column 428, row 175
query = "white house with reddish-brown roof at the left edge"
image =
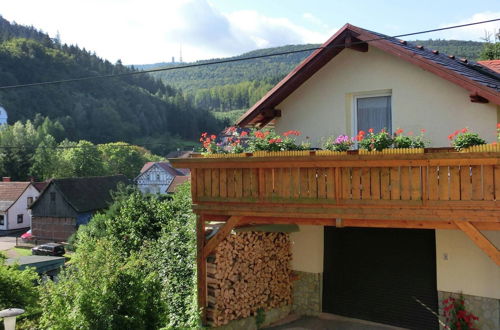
column 15, row 200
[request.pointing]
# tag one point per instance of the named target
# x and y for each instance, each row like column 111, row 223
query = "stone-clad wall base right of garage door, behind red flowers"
column 487, row 309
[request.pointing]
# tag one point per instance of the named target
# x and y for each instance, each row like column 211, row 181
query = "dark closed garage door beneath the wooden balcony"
column 378, row 275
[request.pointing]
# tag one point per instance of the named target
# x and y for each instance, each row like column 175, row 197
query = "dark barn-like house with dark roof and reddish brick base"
column 68, row 203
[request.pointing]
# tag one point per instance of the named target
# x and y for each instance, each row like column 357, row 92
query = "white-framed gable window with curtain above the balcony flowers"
column 372, row 112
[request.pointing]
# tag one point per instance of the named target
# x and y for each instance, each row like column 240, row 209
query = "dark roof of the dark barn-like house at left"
column 90, row 193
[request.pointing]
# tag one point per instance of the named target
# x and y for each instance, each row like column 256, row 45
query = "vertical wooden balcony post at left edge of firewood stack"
column 201, row 264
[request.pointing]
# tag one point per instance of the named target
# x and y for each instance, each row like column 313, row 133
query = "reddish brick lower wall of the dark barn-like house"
column 52, row 228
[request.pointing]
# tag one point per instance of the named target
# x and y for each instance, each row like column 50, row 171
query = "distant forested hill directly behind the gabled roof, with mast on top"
column 237, row 85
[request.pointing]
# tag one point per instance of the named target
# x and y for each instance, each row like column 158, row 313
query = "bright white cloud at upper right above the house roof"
column 473, row 32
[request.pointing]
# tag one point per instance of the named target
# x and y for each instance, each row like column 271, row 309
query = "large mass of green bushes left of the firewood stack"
column 134, row 268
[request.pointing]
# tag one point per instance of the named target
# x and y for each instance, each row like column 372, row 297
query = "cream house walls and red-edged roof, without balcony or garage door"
column 416, row 88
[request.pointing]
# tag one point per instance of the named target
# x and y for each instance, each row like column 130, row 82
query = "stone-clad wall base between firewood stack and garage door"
column 307, row 291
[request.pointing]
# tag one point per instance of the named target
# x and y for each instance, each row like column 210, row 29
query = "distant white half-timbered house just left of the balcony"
column 160, row 178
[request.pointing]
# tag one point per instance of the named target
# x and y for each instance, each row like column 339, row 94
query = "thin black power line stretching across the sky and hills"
column 194, row 65
